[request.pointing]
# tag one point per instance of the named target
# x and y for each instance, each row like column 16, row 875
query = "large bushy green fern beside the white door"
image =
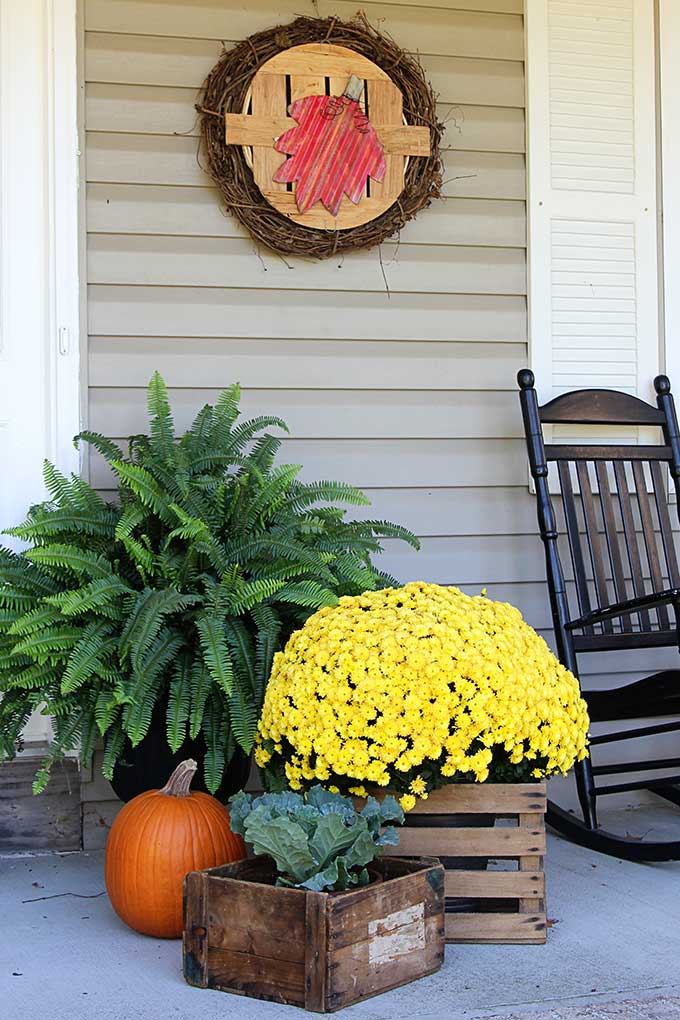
column 181, row 594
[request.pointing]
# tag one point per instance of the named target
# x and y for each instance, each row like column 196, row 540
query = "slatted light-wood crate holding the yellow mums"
column 486, row 905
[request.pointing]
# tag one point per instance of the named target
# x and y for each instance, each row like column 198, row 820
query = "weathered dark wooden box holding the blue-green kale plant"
column 318, row 950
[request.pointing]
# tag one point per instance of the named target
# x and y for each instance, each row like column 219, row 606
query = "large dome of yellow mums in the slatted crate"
column 415, row 688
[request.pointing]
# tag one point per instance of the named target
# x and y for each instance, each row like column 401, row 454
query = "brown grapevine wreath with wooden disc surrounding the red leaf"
column 226, row 107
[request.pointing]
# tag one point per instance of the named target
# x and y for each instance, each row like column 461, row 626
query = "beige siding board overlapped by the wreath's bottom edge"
column 234, row 264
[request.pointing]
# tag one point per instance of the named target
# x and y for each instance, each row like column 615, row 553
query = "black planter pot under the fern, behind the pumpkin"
column 149, row 766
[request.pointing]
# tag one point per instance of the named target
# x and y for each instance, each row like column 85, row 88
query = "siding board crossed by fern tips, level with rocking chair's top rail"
column 331, row 414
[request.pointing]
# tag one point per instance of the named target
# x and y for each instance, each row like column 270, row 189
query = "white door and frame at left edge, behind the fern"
column 40, row 308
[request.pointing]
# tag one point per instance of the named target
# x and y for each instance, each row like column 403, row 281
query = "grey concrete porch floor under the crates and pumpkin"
column 613, row 952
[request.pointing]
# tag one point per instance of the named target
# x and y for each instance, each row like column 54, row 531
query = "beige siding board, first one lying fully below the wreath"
column 163, row 312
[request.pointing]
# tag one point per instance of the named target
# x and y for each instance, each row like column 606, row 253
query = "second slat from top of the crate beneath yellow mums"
column 497, row 842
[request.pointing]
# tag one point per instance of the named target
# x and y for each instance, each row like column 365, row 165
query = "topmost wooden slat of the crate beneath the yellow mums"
column 486, row 799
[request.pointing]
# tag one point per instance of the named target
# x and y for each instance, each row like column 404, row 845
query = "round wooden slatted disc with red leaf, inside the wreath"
column 382, row 144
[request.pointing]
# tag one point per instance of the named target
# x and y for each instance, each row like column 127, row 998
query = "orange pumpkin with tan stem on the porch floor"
column 154, row 842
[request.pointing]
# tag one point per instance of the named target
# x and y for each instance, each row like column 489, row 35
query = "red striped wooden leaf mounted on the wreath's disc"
column 334, row 151
